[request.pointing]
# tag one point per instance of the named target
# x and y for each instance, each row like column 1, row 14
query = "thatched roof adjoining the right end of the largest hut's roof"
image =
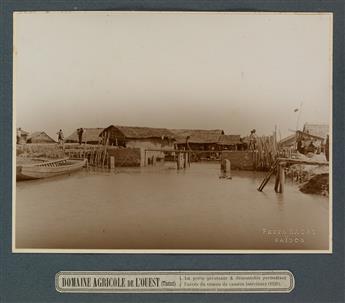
column 197, row 135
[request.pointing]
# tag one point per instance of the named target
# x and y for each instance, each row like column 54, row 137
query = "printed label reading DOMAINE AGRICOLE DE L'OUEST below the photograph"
column 277, row 281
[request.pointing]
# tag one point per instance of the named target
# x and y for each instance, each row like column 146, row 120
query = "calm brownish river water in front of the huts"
column 162, row 208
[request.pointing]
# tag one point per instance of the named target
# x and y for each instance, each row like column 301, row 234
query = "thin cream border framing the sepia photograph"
column 178, row 251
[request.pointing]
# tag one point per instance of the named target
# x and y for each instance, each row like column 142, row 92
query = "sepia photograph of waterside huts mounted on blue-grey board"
column 172, row 132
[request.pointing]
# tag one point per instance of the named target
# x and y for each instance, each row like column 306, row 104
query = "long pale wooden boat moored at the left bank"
column 48, row 169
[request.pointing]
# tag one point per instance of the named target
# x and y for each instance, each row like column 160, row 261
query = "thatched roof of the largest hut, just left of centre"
column 135, row 132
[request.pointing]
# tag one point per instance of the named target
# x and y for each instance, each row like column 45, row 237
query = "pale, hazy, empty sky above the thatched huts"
column 230, row 71
